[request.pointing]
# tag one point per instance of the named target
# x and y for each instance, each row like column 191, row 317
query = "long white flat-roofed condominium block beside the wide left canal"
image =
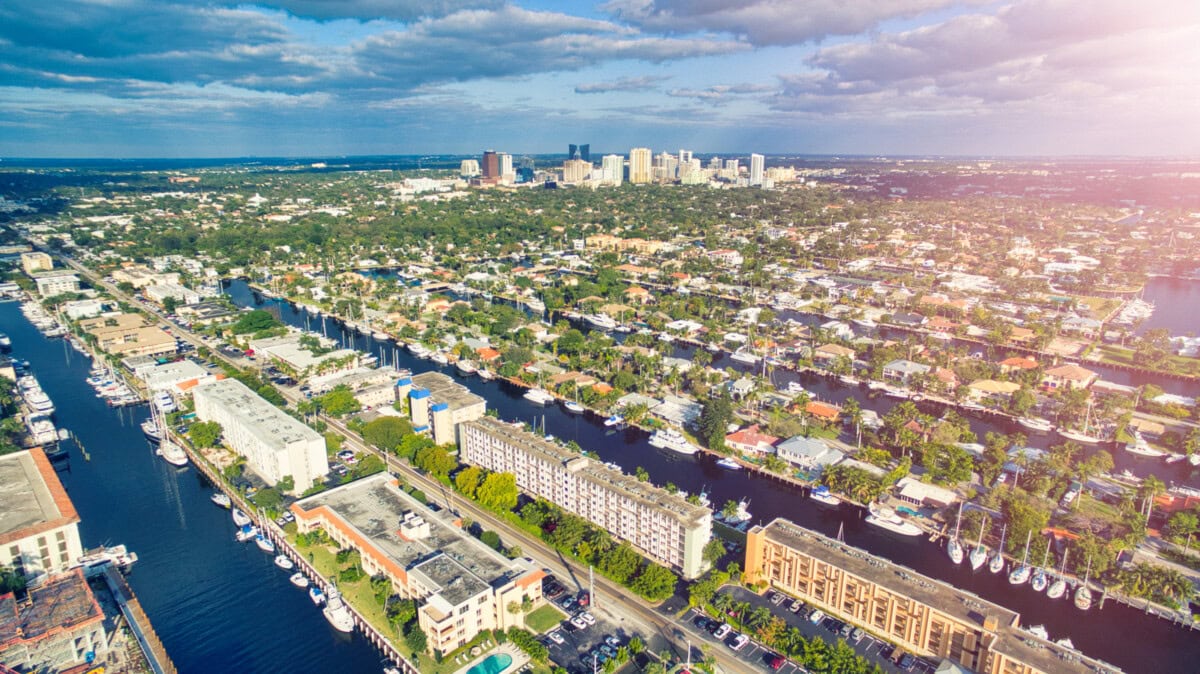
column 275, row 446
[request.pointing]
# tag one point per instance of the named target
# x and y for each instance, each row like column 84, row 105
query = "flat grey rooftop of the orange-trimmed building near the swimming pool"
column 448, row 557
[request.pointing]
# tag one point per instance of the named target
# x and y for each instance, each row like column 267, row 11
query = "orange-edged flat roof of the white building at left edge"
column 32, row 498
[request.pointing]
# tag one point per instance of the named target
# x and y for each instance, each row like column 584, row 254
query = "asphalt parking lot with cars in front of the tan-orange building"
column 877, row 652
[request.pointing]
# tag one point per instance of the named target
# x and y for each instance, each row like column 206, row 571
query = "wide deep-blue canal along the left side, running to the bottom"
column 218, row 605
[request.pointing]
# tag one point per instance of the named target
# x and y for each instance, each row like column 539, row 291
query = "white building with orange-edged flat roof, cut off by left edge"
column 39, row 525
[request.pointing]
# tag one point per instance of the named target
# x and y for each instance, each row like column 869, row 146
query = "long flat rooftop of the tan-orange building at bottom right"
column 946, row 599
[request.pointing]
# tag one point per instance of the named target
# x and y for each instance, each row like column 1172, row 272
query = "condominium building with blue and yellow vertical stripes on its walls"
column 439, row 405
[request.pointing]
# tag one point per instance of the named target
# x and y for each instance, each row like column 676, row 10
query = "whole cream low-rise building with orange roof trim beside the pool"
column 463, row 586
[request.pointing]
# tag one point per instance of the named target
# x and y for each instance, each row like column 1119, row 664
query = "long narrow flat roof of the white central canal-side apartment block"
column 597, row 473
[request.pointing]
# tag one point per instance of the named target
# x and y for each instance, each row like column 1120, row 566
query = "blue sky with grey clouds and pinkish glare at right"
column 175, row 79
